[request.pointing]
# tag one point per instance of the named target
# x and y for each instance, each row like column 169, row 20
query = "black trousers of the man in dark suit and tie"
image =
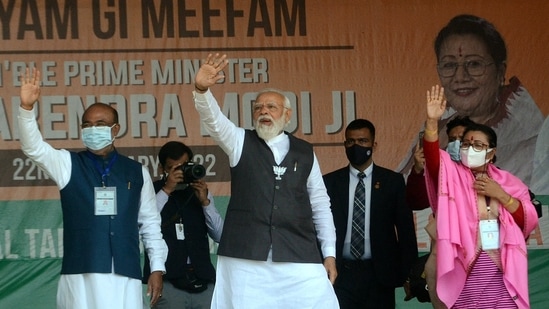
column 357, row 288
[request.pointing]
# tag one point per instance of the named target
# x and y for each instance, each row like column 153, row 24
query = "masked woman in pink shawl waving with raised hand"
column 483, row 215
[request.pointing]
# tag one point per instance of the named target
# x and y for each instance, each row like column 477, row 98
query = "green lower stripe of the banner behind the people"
column 31, row 251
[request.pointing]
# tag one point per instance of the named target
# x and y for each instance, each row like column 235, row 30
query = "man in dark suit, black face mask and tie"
column 376, row 242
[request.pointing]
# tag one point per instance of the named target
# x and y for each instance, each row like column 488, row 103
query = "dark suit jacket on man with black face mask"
column 392, row 231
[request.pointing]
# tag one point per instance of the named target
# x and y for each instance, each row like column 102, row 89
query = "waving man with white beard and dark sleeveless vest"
column 277, row 249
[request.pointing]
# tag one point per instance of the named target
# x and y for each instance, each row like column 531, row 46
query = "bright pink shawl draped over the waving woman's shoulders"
column 457, row 230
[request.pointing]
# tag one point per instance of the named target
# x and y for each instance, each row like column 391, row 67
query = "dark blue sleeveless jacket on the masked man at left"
column 93, row 243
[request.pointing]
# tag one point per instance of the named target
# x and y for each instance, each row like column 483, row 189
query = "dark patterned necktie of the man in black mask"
column 357, row 232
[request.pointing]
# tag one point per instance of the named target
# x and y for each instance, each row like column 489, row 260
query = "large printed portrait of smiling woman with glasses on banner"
column 472, row 65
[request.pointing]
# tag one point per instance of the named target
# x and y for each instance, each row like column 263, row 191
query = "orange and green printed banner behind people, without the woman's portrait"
column 336, row 61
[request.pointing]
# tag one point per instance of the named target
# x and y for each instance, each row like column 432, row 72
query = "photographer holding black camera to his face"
column 188, row 217
